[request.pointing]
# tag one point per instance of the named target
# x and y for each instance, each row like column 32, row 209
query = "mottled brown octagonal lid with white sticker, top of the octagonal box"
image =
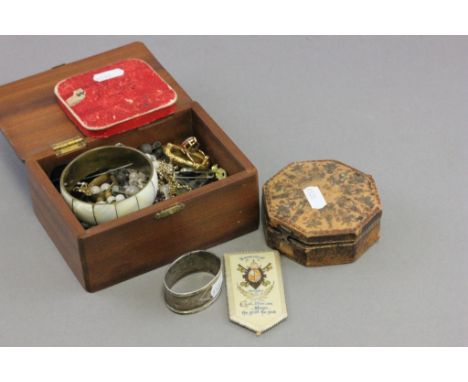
column 351, row 196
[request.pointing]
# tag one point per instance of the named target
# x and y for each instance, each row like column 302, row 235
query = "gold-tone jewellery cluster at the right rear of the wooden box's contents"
column 187, row 154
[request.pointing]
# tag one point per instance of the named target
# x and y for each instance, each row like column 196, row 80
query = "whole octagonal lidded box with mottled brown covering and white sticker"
column 321, row 212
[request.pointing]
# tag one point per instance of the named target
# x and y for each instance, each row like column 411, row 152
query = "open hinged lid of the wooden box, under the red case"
column 30, row 117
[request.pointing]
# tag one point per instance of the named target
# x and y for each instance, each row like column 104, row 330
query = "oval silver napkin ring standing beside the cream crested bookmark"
column 197, row 300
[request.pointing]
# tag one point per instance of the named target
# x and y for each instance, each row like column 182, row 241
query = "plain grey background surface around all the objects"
column 395, row 107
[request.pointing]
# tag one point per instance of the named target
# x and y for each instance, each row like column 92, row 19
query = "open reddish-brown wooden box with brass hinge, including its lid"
column 100, row 256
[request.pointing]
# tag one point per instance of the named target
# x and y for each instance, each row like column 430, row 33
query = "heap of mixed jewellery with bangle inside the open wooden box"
column 123, row 172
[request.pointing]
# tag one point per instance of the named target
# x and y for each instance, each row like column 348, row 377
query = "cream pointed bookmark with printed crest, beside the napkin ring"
column 255, row 289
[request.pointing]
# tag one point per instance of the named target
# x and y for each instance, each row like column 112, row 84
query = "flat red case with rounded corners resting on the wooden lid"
column 115, row 105
